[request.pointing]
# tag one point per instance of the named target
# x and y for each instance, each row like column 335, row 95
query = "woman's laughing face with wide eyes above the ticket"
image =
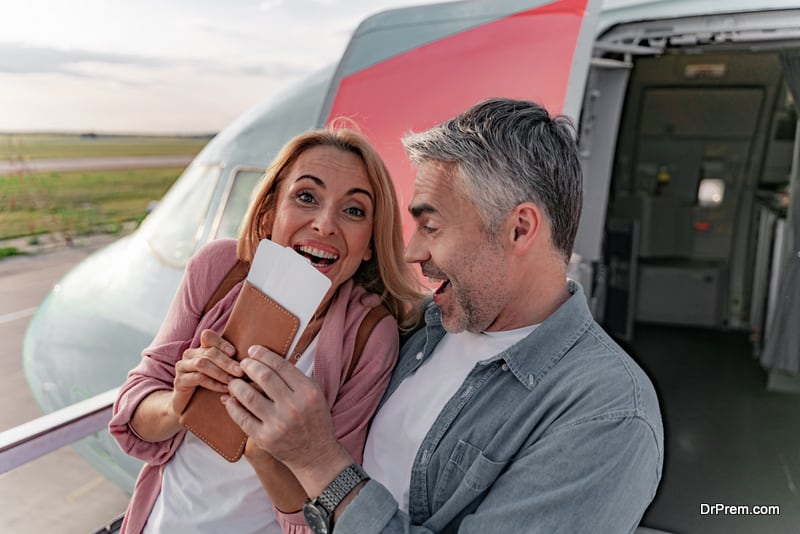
column 325, row 211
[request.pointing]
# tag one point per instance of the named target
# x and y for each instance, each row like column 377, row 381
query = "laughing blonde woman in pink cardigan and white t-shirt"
column 328, row 196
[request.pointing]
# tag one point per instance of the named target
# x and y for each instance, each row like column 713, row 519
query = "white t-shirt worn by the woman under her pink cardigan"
column 202, row 492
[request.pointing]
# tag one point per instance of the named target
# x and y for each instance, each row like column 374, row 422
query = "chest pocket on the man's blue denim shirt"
column 467, row 474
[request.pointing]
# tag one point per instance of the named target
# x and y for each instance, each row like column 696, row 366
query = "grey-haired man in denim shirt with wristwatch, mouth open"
column 512, row 410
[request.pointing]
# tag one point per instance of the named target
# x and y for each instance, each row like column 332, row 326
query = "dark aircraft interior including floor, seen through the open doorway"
column 694, row 245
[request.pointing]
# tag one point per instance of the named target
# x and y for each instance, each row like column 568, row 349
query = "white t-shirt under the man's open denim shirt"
column 405, row 419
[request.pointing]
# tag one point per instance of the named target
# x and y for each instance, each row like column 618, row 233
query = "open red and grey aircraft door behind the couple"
column 409, row 69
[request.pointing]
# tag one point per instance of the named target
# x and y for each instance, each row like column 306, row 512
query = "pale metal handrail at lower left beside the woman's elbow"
column 28, row 441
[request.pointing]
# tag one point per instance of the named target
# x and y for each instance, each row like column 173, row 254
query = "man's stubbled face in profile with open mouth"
column 454, row 252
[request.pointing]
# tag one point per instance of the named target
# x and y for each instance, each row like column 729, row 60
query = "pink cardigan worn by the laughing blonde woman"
column 352, row 403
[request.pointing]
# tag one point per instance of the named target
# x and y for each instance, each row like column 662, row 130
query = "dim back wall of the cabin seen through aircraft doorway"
column 696, row 120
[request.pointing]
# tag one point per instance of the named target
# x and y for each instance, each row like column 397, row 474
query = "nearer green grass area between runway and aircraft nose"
column 78, row 203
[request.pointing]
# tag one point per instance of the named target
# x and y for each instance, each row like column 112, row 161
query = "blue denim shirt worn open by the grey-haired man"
column 561, row 432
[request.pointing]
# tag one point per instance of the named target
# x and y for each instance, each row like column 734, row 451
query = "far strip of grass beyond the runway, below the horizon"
column 45, row 145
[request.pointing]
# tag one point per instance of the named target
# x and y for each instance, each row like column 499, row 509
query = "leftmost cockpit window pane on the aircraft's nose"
column 174, row 227
